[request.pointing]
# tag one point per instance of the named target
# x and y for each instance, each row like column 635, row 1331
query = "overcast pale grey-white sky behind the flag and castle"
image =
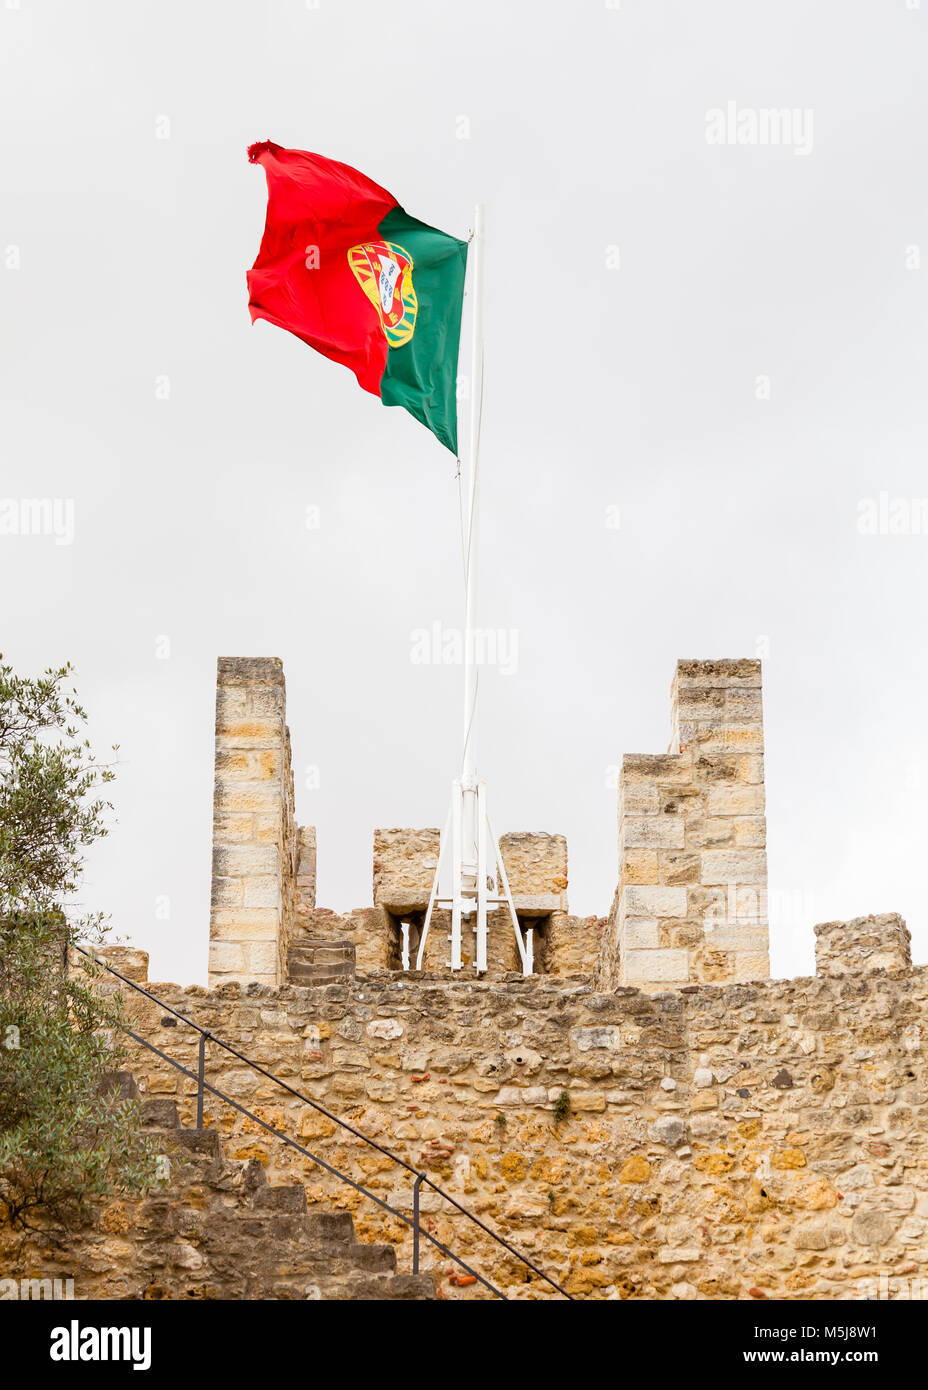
column 129, row 219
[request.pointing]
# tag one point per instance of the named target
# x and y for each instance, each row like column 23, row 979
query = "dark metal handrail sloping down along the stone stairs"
column 420, row 1178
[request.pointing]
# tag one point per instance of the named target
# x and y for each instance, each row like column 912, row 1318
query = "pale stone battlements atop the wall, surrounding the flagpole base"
column 691, row 903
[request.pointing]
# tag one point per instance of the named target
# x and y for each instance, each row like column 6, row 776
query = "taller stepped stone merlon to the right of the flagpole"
column 693, row 892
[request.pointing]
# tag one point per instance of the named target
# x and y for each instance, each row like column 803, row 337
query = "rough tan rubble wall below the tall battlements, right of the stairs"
column 720, row 1142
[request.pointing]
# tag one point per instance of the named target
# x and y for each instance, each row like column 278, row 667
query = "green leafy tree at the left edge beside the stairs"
column 65, row 1138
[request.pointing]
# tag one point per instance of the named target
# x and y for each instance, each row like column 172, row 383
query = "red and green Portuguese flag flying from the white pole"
column 347, row 270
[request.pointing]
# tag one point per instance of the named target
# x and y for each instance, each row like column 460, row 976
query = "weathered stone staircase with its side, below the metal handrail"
column 213, row 1228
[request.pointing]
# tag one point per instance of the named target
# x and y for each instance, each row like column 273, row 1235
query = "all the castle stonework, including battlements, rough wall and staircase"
column 649, row 1117
